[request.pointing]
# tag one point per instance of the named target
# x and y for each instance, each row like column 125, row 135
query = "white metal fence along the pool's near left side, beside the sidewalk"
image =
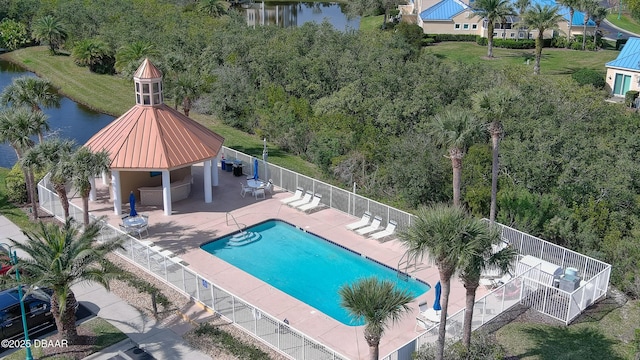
column 251, row 319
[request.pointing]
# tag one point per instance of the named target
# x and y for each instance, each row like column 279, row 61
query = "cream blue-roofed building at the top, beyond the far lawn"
column 456, row 17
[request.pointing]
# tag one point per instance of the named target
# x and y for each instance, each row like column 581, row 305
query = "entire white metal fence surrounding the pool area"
column 540, row 296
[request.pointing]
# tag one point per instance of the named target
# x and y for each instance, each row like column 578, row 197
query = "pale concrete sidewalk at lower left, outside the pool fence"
column 162, row 340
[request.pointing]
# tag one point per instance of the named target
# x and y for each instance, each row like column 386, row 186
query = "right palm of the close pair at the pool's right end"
column 485, row 239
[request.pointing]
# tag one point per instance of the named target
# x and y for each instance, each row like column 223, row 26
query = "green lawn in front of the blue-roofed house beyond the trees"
column 554, row 61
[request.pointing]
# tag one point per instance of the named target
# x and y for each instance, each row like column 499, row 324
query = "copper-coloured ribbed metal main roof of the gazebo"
column 155, row 137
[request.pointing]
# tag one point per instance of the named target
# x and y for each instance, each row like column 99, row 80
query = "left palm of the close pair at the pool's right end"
column 441, row 232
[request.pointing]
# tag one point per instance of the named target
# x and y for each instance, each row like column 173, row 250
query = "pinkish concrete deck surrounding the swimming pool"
column 193, row 223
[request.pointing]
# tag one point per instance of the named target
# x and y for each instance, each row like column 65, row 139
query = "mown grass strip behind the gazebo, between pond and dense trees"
column 114, row 95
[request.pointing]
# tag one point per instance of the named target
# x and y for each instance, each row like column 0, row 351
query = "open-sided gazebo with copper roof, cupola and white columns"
column 152, row 148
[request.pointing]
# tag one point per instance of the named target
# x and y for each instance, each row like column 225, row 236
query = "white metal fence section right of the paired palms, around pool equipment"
column 527, row 288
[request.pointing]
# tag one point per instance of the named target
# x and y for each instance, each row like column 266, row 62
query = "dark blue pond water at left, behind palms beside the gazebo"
column 70, row 121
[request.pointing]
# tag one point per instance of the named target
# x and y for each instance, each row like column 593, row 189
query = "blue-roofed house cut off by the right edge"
column 623, row 73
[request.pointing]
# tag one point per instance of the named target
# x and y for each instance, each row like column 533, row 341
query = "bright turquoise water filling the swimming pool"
column 305, row 266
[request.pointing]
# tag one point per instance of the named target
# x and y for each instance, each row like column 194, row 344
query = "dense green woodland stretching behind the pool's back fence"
column 361, row 106
